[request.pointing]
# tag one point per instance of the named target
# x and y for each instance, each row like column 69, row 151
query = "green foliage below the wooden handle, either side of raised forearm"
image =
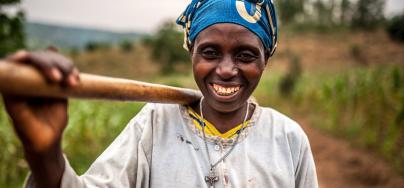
column 94, row 124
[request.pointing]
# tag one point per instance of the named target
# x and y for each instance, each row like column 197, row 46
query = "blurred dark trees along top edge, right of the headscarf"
column 327, row 15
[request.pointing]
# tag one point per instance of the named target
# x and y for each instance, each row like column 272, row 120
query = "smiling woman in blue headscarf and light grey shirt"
column 225, row 140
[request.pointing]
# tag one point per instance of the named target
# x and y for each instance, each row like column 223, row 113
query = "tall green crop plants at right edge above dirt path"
column 365, row 106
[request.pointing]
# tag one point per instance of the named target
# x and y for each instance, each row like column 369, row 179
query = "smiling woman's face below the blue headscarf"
column 228, row 61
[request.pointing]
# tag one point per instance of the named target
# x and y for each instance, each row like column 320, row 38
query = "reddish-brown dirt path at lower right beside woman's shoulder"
column 341, row 166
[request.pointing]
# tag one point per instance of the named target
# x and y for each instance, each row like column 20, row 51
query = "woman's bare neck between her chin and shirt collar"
column 224, row 121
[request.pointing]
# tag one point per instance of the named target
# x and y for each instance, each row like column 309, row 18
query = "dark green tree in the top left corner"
column 12, row 35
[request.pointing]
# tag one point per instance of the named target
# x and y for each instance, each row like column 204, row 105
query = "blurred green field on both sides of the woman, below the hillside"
column 364, row 105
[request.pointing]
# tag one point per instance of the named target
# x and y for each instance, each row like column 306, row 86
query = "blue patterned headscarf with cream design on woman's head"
column 256, row 15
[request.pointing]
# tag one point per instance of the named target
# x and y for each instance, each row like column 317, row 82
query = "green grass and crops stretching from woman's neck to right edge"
column 364, row 105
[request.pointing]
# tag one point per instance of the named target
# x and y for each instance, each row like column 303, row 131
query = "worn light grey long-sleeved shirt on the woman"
column 161, row 147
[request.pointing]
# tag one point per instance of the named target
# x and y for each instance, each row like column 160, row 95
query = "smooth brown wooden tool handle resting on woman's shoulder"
column 25, row 80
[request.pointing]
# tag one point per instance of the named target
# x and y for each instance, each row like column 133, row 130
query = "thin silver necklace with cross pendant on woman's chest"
column 212, row 178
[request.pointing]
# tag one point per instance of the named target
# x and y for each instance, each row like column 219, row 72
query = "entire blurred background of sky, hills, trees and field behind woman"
column 338, row 71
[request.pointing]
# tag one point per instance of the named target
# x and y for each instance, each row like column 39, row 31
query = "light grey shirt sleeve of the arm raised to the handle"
column 125, row 163
